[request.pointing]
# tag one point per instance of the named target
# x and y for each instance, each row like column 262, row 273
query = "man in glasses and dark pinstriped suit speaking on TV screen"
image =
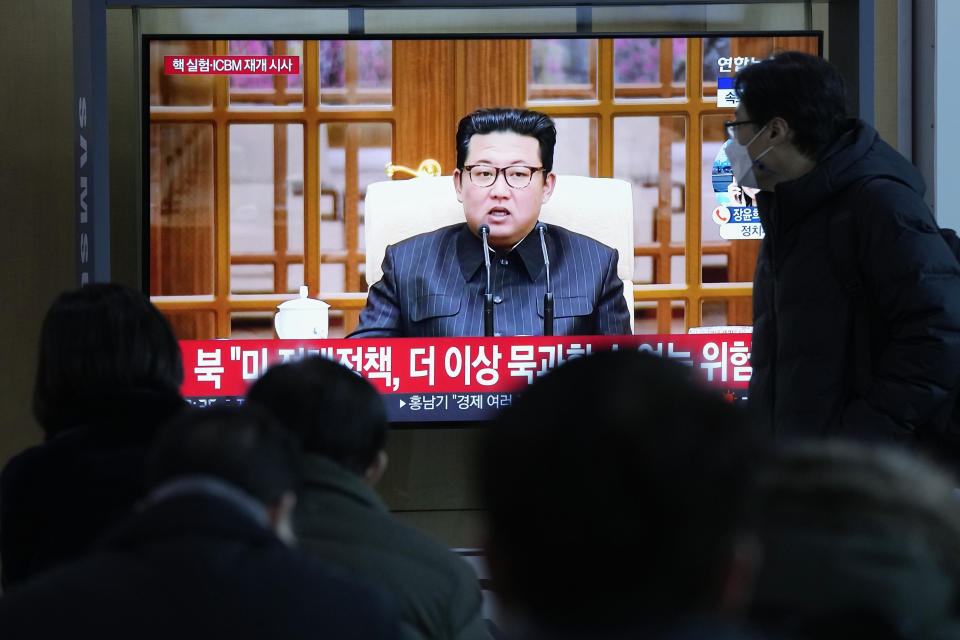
column 488, row 275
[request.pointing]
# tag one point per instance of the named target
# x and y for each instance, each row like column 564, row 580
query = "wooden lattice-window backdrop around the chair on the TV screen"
column 259, row 152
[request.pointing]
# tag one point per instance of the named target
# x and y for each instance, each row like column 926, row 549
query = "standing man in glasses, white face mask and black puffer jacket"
column 833, row 193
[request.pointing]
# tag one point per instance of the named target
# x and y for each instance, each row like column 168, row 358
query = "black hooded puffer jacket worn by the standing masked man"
column 802, row 354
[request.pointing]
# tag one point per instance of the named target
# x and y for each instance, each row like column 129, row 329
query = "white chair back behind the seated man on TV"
column 601, row 208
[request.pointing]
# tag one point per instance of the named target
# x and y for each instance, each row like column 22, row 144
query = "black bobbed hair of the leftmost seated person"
column 101, row 338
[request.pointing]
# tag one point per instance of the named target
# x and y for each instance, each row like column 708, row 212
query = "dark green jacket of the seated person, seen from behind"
column 343, row 521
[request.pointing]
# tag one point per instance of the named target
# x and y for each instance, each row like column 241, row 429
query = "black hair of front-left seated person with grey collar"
column 243, row 446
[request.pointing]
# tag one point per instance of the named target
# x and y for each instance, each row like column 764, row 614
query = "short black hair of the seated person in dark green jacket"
column 334, row 411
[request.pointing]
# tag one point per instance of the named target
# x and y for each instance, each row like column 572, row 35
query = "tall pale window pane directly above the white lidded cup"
column 266, row 170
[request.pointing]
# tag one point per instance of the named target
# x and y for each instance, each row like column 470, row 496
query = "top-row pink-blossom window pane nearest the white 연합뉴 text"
column 649, row 68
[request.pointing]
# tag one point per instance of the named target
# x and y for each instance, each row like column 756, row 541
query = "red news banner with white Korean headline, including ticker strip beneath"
column 449, row 379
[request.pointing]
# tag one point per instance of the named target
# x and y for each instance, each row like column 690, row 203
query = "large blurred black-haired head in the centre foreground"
column 614, row 489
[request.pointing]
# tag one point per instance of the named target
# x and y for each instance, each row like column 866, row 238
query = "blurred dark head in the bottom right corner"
column 857, row 537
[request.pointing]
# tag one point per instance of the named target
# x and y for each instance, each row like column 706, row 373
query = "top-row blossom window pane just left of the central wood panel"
column 357, row 72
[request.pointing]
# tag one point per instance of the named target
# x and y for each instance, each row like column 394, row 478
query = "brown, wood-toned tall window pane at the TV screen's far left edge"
column 181, row 209
